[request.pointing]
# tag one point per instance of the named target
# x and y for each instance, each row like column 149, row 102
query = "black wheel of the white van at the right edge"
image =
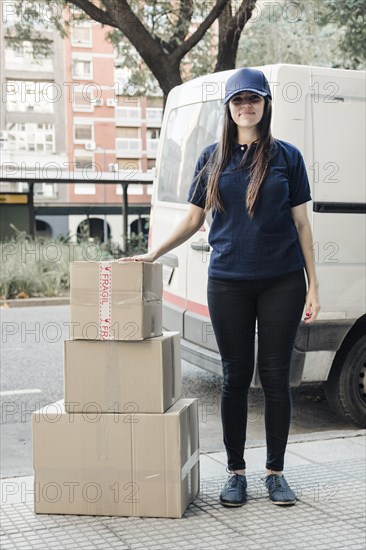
column 345, row 388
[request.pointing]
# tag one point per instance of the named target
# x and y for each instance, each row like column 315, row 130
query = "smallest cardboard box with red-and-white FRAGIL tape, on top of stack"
column 116, row 301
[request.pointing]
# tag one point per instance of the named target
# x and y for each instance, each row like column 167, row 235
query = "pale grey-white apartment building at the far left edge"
column 32, row 113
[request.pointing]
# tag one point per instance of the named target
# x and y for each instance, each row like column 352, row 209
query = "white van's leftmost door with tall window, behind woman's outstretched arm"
column 175, row 167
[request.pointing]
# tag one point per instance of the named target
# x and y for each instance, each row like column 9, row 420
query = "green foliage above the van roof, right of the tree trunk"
column 304, row 33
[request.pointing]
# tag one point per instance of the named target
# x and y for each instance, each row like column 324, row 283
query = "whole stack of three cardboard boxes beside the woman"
column 122, row 442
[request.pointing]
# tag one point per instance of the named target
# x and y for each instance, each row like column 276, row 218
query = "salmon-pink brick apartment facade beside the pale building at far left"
column 91, row 130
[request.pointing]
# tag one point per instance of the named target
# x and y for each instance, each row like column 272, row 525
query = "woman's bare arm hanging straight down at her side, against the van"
column 300, row 217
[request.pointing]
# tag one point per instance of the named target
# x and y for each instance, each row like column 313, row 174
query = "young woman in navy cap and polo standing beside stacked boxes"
column 261, row 240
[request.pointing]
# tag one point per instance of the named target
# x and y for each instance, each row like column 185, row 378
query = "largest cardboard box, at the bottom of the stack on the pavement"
column 143, row 465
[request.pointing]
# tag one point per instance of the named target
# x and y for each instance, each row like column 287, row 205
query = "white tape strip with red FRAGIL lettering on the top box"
column 105, row 300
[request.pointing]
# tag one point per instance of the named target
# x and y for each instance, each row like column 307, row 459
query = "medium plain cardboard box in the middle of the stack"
column 114, row 376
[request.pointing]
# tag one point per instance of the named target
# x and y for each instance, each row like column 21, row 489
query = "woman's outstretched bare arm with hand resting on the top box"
column 183, row 231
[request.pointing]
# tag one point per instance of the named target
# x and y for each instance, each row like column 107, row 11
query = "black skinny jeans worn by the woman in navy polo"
column 277, row 303
